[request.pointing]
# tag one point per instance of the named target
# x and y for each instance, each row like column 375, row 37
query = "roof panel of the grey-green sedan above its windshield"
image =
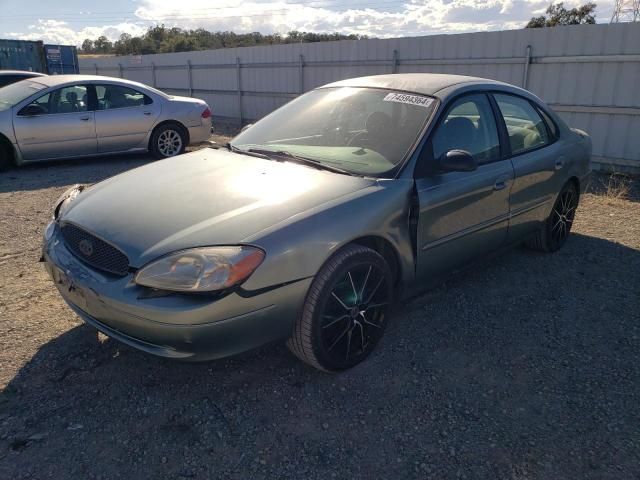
column 423, row 83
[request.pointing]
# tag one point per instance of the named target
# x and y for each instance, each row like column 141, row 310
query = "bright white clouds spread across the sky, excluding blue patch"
column 387, row 19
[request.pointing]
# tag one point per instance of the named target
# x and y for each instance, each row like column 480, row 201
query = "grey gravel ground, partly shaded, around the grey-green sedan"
column 523, row 367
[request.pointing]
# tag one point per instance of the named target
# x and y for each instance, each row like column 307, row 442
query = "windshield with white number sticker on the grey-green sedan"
column 366, row 131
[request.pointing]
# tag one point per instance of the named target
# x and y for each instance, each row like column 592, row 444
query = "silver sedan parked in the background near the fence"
column 70, row 116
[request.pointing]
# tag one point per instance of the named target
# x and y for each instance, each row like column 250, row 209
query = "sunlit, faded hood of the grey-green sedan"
column 208, row 197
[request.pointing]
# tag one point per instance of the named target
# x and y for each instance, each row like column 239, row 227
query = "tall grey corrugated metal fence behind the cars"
column 589, row 74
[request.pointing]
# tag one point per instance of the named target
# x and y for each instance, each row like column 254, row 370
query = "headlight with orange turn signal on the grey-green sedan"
column 201, row 269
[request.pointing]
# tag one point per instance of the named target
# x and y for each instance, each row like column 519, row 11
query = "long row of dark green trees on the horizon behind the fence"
column 160, row 39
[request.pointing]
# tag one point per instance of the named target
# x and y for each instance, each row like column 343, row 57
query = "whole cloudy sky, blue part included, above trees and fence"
column 71, row 21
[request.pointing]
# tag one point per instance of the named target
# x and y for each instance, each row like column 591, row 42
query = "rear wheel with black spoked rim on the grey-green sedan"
column 555, row 231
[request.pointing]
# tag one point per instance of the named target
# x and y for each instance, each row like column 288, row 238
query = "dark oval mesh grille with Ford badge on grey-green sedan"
column 94, row 251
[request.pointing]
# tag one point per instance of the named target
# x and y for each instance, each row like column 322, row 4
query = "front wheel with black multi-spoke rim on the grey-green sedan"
column 345, row 312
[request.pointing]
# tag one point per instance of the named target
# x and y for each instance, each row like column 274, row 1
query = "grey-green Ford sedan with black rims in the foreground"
column 312, row 222
